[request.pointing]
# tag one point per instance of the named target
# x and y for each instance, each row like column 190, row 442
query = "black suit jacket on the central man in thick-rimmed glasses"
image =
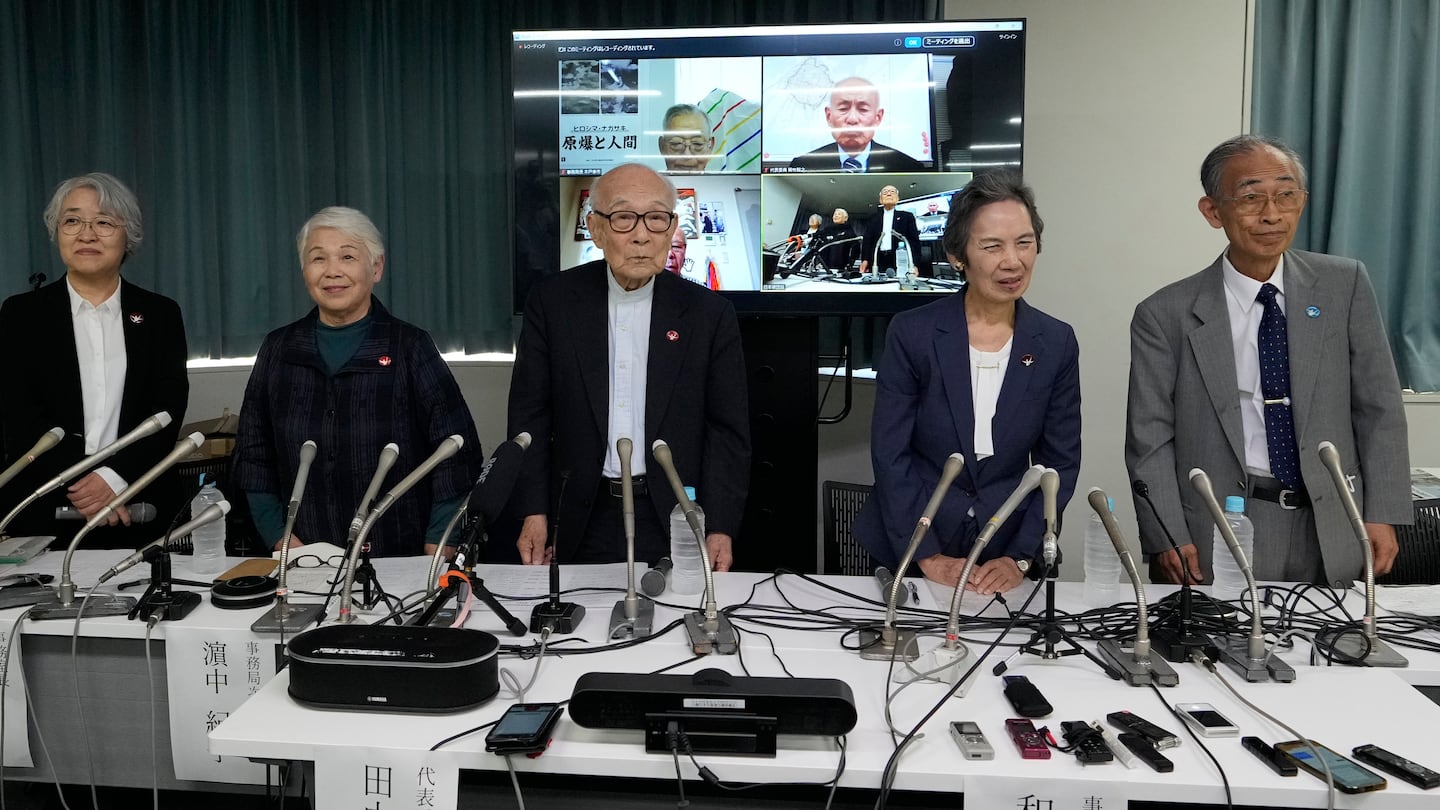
column 695, row 400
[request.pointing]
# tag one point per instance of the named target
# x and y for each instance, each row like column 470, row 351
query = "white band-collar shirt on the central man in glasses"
column 630, row 357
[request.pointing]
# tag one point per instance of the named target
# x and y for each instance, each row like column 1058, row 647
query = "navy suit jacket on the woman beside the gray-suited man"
column 925, row 413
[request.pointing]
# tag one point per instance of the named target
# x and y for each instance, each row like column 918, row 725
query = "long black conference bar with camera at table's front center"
column 798, row 706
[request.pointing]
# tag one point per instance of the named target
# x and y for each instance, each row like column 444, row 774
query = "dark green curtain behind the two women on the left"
column 235, row 120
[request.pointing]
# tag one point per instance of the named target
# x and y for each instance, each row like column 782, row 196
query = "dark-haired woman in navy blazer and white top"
column 942, row 365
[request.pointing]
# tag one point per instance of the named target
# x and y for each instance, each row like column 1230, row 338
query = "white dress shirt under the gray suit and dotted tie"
column 1245, row 334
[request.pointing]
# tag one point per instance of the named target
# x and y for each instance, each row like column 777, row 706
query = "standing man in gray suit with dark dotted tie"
column 1205, row 377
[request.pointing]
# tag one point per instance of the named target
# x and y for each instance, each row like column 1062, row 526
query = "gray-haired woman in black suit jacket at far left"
column 94, row 355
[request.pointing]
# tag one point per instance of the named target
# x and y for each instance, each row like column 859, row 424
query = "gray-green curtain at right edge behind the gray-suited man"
column 1356, row 89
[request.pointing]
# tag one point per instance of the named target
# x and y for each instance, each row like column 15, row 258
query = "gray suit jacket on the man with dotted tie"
column 1184, row 404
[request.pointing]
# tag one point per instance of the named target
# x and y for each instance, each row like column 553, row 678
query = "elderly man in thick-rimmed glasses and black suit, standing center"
column 621, row 350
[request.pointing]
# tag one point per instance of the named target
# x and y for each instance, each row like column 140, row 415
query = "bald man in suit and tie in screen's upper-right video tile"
column 853, row 116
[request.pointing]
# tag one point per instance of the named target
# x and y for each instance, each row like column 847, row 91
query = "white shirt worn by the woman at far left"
column 100, row 347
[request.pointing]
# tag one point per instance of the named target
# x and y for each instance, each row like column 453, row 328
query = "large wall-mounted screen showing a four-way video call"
column 814, row 165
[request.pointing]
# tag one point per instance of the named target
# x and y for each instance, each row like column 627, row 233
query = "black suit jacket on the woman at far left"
column 45, row 391
